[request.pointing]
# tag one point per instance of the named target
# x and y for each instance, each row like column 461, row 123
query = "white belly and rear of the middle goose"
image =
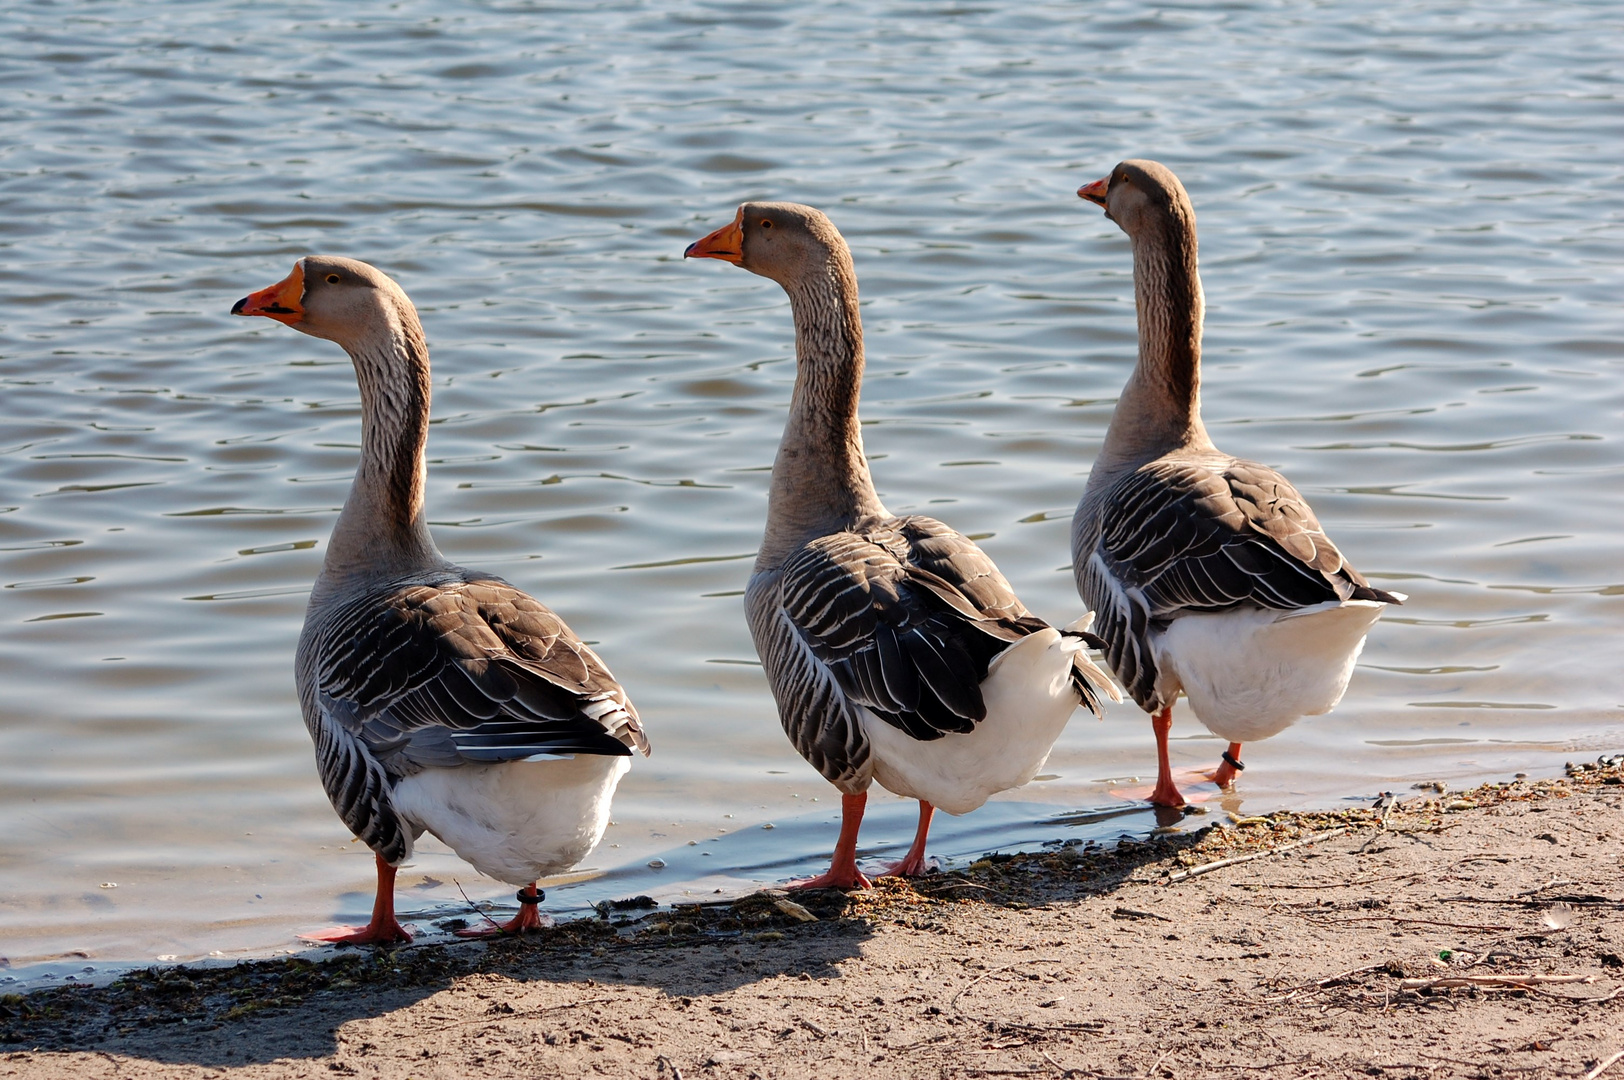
column 1029, row 694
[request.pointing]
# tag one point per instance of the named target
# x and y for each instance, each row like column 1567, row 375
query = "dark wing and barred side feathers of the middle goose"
column 901, row 616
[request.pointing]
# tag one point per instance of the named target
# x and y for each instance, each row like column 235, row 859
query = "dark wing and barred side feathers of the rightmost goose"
column 1178, row 537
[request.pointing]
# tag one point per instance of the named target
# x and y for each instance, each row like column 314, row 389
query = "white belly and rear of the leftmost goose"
column 516, row 821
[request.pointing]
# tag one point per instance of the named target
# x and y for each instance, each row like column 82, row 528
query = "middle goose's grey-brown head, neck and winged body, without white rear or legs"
column 853, row 608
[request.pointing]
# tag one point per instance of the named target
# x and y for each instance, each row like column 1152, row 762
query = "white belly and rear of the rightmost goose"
column 1251, row 673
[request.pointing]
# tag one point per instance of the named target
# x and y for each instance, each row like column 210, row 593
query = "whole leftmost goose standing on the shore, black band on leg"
column 441, row 699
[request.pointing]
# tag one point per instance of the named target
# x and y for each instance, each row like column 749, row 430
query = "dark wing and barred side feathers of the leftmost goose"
column 444, row 673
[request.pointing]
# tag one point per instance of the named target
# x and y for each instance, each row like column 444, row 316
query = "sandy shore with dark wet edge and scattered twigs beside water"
column 1477, row 933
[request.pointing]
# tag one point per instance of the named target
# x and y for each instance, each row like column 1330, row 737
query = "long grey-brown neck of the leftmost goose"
column 382, row 529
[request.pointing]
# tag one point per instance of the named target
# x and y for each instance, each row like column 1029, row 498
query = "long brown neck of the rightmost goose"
column 1160, row 408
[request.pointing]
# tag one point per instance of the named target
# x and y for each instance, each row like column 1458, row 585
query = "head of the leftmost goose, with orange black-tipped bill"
column 339, row 300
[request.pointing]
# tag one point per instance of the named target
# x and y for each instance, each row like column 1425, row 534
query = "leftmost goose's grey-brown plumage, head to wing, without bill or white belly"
column 407, row 662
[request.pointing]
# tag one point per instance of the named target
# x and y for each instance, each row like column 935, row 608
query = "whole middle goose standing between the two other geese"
column 896, row 650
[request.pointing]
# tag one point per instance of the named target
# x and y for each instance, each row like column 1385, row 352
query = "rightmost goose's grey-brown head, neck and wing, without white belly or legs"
column 1168, row 524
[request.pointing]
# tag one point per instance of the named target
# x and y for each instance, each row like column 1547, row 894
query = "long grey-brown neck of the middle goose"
column 821, row 477
